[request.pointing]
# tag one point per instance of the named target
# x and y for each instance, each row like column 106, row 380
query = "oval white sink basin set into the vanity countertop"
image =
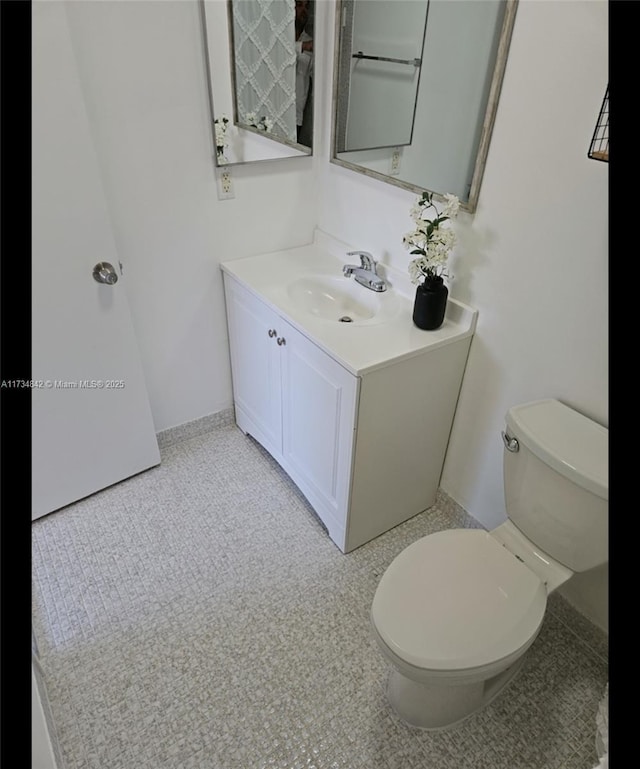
column 341, row 299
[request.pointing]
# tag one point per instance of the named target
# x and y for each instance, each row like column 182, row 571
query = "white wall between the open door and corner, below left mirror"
column 142, row 66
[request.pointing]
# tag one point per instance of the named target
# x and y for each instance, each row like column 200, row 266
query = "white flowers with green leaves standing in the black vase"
column 430, row 240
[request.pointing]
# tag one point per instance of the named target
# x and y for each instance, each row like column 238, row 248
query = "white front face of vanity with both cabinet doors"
column 295, row 400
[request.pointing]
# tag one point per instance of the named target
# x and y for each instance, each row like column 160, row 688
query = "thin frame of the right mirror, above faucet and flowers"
column 487, row 125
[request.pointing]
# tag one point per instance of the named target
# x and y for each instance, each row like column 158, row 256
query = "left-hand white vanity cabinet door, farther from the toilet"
column 255, row 366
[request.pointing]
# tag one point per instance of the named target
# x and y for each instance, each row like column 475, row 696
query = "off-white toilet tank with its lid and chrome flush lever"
column 556, row 481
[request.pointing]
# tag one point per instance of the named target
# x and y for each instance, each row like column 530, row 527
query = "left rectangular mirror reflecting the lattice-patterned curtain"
column 259, row 63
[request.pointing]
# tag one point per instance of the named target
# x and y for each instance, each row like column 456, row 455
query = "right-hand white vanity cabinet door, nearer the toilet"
column 318, row 414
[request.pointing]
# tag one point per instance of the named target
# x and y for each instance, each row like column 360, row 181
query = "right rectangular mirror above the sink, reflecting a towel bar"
column 415, row 90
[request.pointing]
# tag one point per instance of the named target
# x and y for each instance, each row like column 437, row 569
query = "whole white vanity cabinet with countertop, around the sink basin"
column 359, row 416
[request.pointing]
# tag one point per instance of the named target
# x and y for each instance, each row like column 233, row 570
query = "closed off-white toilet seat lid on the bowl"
column 457, row 600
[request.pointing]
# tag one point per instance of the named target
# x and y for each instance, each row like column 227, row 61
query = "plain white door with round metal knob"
column 91, row 419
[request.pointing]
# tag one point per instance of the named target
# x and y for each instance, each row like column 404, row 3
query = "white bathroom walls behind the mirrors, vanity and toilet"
column 533, row 259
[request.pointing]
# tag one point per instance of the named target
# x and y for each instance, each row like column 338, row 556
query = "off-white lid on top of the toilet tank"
column 569, row 442
